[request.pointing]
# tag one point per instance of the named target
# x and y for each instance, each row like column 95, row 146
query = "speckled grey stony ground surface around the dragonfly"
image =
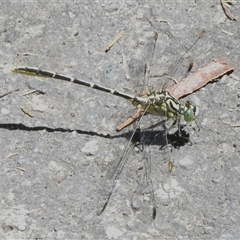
column 53, row 164
